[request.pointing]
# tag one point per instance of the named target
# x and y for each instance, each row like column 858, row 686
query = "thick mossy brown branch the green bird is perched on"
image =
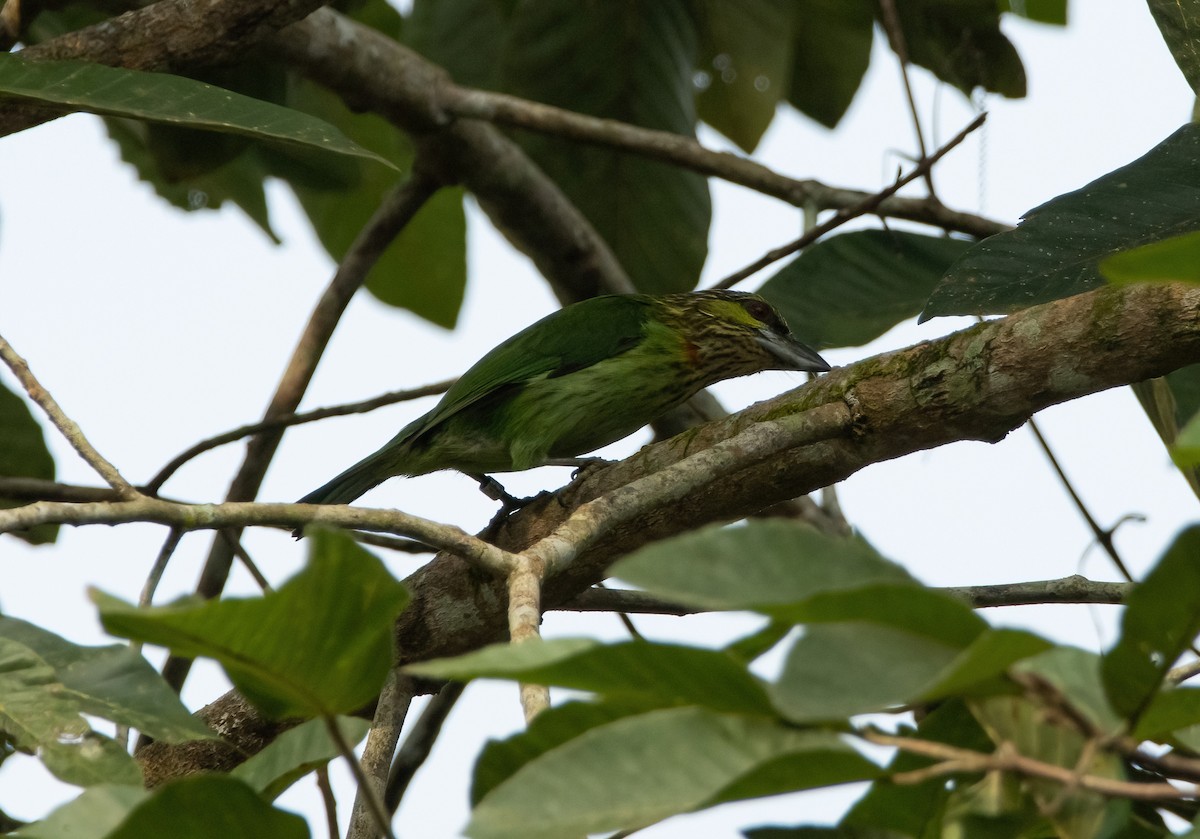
column 976, row 385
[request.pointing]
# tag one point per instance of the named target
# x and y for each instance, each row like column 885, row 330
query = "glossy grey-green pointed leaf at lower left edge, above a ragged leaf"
column 111, row 682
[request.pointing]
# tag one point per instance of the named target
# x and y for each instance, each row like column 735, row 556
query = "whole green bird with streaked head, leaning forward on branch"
column 579, row 380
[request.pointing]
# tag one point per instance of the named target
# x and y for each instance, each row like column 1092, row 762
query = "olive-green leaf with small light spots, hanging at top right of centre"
column 747, row 59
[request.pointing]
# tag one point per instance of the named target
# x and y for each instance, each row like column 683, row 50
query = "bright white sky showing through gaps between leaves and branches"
column 155, row 329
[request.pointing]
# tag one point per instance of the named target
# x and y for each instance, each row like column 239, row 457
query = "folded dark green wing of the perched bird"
column 563, row 343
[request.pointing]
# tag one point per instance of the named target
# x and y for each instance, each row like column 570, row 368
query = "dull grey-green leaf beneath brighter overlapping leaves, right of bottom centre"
column 838, row 670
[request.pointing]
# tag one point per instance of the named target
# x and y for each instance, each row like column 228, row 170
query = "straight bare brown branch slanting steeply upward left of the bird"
column 394, row 213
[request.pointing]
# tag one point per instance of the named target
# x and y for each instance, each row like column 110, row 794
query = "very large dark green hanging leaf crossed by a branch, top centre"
column 633, row 62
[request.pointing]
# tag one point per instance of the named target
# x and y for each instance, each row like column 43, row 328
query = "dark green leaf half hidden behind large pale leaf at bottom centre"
column 549, row 730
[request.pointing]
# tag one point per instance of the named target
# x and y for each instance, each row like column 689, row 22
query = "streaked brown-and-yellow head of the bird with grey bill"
column 740, row 332
